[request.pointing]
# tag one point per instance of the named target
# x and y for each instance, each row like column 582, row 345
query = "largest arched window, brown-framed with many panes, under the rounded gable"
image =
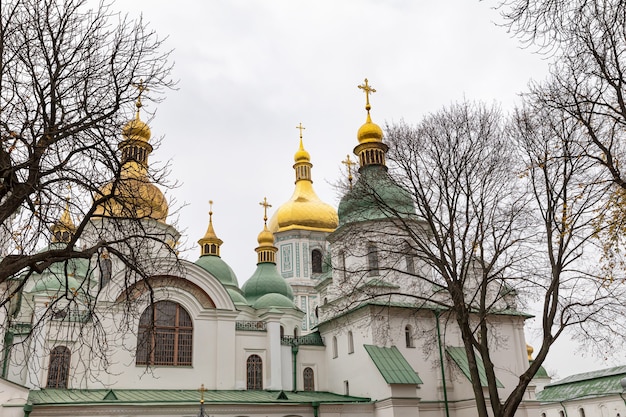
column 165, row 335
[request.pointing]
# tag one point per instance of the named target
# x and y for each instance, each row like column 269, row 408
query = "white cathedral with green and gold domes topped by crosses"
column 309, row 334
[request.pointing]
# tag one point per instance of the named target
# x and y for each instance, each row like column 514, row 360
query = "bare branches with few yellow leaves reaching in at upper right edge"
column 587, row 43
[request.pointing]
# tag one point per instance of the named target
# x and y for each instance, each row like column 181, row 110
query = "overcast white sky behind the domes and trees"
column 250, row 71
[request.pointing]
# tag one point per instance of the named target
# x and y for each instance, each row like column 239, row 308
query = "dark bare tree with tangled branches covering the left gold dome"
column 72, row 197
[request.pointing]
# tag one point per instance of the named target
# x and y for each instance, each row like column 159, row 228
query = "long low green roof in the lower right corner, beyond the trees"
column 588, row 384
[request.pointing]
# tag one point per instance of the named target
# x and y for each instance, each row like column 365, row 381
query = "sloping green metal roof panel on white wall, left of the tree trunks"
column 392, row 365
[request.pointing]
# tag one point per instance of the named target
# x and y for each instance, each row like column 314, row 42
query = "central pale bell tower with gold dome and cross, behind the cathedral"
column 300, row 228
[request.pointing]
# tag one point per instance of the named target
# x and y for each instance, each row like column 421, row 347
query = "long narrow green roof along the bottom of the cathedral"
column 72, row 397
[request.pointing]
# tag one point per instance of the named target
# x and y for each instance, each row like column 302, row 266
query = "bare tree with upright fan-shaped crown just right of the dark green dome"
column 460, row 168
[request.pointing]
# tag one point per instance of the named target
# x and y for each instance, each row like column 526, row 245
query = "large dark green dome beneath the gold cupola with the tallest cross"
column 375, row 196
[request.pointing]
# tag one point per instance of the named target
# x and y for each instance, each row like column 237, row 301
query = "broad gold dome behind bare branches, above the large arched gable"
column 134, row 197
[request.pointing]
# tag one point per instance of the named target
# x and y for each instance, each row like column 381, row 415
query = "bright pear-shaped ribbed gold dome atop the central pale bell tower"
column 304, row 210
